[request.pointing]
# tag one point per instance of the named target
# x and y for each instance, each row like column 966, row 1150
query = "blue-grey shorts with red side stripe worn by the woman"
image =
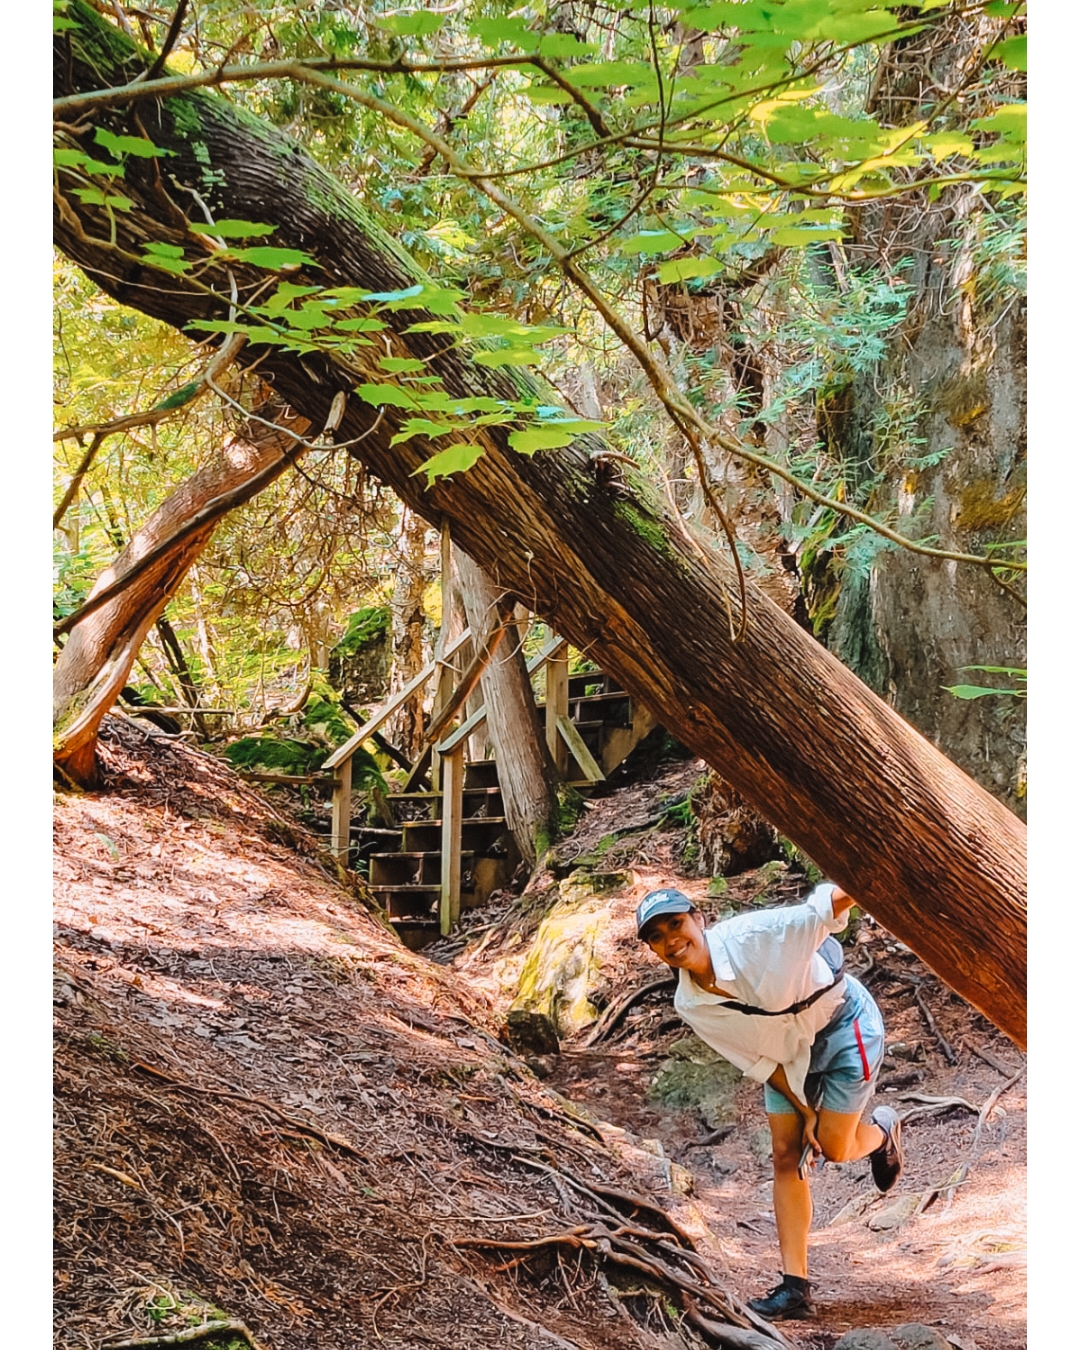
column 844, row 1059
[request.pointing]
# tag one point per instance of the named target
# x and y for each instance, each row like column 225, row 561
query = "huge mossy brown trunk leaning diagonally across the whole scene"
column 924, row 848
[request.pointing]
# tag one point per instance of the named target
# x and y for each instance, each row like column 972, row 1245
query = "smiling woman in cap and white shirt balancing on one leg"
column 759, row 990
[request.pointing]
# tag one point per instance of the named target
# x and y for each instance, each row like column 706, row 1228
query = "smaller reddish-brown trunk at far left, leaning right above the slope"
column 98, row 657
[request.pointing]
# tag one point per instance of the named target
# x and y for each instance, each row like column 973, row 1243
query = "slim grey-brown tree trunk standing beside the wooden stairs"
column 526, row 773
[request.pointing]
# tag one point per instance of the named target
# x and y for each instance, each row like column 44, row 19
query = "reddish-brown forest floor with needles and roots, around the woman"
column 269, row 1112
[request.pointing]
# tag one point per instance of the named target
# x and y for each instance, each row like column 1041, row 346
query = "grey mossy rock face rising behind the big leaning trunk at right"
column 935, row 435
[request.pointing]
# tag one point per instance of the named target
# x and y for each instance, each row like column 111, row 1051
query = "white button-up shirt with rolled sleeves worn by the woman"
column 767, row 959
